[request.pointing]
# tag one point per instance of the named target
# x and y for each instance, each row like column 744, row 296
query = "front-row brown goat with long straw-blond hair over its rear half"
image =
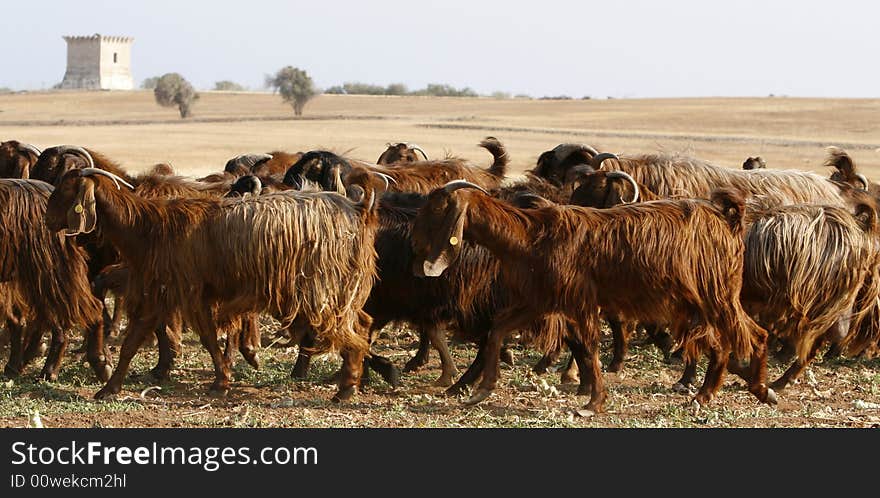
column 265, row 268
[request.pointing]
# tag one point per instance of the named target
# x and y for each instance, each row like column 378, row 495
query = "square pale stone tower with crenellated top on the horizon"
column 98, row 62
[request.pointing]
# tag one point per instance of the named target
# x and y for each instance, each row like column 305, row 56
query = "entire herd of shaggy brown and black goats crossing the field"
column 730, row 263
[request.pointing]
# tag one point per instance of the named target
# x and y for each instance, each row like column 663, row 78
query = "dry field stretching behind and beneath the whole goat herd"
column 131, row 128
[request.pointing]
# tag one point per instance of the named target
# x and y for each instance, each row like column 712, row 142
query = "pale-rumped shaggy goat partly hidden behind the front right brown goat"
column 804, row 266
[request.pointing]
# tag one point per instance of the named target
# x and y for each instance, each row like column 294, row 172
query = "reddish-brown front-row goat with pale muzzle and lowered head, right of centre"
column 560, row 260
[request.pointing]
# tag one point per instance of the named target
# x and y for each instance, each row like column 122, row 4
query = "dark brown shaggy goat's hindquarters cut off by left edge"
column 46, row 278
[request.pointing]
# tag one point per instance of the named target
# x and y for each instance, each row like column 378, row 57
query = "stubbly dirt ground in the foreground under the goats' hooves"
column 837, row 393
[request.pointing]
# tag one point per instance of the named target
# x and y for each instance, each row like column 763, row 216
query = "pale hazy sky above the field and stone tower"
column 608, row 48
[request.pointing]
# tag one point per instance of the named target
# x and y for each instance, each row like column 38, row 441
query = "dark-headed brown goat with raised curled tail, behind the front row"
column 331, row 171
